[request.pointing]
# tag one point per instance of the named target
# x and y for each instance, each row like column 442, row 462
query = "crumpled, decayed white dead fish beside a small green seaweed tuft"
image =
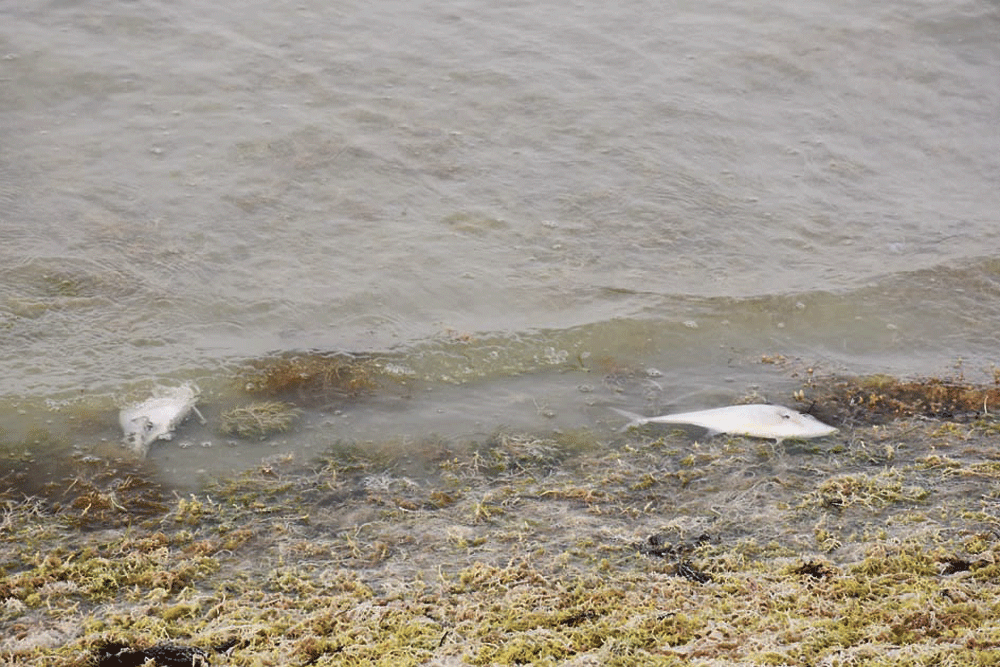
column 157, row 417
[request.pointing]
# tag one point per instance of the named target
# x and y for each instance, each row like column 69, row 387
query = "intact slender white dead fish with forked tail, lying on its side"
column 756, row 421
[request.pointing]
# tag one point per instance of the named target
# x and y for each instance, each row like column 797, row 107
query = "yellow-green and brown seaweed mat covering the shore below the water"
column 877, row 546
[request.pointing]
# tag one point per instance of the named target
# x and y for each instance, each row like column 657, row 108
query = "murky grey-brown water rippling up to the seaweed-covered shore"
column 537, row 209
